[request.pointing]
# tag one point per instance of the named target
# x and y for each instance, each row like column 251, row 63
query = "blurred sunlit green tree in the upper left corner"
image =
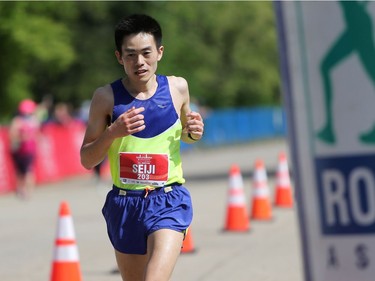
column 32, row 37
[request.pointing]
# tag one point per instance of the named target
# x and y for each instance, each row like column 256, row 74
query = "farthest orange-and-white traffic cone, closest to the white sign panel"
column 283, row 193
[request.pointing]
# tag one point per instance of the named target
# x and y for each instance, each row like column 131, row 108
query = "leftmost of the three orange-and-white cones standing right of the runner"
column 237, row 218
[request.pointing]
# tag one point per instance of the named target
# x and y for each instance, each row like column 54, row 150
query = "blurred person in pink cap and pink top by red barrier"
column 23, row 133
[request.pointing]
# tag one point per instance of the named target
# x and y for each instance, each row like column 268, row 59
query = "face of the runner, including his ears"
column 140, row 56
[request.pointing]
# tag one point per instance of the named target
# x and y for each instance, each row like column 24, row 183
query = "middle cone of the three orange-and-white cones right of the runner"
column 261, row 206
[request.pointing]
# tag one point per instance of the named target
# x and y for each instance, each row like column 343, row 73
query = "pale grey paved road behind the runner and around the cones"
column 270, row 251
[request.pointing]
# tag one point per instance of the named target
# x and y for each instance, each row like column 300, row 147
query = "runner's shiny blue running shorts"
column 132, row 215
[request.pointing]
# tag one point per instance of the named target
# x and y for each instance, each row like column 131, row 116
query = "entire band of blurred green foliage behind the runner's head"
column 226, row 50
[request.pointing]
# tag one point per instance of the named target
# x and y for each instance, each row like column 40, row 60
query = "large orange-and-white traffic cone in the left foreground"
column 65, row 265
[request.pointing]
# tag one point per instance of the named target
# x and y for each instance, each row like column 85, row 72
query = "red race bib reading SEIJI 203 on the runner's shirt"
column 144, row 168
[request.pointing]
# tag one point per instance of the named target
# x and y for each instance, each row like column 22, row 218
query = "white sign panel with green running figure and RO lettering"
column 327, row 54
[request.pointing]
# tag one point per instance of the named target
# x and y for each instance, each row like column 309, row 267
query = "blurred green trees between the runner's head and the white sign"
column 227, row 50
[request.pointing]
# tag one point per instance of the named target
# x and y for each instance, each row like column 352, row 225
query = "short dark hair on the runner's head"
column 135, row 24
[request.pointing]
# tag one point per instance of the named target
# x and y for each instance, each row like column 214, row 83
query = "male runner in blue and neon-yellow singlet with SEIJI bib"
column 139, row 121
